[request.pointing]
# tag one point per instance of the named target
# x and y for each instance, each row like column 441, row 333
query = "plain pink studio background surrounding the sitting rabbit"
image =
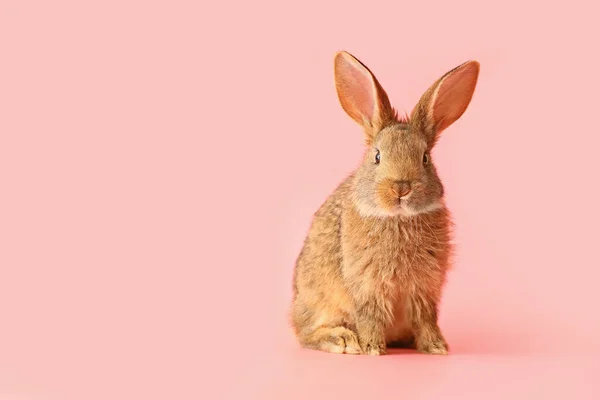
column 160, row 163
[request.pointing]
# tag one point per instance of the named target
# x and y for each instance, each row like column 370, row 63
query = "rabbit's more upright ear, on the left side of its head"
column 361, row 95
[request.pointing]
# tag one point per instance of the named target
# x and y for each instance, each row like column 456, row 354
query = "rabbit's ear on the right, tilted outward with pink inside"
column 446, row 100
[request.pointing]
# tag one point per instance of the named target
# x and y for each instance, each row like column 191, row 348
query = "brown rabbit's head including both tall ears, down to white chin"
column 397, row 175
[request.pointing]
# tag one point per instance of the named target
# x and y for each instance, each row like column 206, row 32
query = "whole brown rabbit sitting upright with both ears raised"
column 371, row 272
